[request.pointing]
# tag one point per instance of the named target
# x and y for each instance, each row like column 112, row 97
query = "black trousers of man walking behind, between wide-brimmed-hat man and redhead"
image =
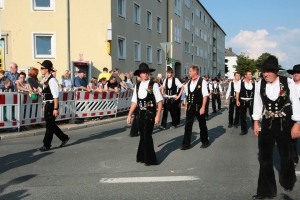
column 171, row 106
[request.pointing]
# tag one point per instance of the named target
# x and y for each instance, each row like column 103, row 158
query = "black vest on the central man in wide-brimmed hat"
column 148, row 103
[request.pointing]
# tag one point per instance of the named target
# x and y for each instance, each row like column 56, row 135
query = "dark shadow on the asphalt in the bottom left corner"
column 19, row 194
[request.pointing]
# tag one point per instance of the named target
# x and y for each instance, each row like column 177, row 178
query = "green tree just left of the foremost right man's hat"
column 245, row 63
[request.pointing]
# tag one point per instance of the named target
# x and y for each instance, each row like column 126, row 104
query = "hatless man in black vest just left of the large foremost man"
column 244, row 99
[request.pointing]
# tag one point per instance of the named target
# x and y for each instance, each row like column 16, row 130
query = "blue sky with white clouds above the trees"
column 258, row 26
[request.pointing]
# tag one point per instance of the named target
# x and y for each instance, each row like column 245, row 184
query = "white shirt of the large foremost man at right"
column 272, row 92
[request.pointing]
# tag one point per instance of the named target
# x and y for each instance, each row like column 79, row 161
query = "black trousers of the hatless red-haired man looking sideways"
column 192, row 112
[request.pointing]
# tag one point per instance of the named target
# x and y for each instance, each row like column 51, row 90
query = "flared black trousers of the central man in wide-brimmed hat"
column 146, row 153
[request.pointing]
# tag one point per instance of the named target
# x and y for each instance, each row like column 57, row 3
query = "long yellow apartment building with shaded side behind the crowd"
column 112, row 33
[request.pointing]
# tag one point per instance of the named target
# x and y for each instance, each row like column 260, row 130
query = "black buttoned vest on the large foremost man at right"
column 279, row 108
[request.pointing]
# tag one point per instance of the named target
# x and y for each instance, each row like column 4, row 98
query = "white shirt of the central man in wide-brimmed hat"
column 143, row 92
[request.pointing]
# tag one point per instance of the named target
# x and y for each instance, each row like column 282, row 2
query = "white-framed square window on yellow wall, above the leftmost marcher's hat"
column 44, row 45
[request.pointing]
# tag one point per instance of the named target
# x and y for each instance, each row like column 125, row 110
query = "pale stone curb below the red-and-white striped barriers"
column 63, row 127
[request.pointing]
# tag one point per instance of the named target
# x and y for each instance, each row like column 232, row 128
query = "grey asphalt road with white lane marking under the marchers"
column 99, row 163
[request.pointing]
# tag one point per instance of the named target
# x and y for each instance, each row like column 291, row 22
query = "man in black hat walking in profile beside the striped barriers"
column 50, row 98
